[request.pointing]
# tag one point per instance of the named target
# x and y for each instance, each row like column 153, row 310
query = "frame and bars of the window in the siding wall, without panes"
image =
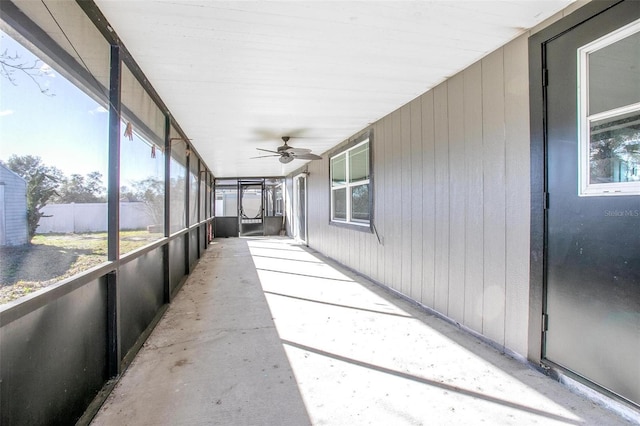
column 345, row 150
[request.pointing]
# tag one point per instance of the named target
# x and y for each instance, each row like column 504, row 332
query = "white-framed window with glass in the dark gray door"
column 609, row 114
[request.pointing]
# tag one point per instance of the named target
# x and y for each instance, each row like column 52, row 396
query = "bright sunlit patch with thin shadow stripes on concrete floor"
column 359, row 358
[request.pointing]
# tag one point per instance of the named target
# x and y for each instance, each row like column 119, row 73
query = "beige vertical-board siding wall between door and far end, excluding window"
column 451, row 200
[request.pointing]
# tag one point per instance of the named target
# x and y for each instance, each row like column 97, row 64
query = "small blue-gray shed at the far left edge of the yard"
column 13, row 209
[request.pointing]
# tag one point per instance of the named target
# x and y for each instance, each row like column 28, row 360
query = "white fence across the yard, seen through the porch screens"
column 92, row 217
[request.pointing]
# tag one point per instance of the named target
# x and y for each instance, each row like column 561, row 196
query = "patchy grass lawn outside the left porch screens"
column 52, row 257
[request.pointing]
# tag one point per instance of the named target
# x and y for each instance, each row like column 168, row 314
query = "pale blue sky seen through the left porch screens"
column 67, row 130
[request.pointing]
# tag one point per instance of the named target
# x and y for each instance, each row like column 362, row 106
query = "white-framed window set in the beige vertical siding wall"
column 351, row 185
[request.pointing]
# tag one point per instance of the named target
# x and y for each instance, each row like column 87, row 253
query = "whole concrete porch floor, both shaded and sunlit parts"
column 266, row 332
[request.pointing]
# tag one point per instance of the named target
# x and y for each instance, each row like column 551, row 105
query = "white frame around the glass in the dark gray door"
column 585, row 187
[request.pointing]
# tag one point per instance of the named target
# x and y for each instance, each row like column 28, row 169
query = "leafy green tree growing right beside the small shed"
column 42, row 185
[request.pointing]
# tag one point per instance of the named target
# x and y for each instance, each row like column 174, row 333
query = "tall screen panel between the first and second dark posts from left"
column 141, row 167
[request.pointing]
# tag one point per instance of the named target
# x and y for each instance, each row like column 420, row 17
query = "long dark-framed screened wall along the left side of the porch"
column 117, row 209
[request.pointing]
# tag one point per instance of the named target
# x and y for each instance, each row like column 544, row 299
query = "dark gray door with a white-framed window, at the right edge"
column 592, row 302
